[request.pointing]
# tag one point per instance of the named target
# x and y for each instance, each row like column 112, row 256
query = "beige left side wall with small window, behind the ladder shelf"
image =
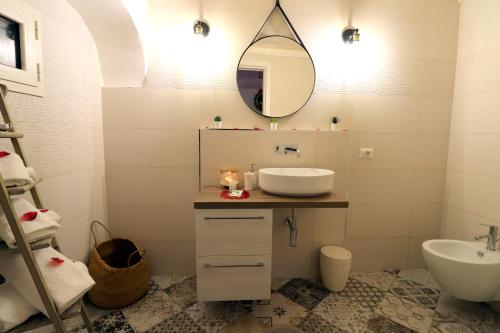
column 63, row 130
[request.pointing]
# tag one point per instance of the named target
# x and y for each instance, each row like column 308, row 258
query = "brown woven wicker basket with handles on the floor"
column 119, row 269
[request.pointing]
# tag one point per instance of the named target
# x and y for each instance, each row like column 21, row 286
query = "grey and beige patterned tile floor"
column 378, row 302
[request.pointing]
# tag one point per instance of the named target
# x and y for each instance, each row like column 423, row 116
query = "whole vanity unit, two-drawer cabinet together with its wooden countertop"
column 234, row 242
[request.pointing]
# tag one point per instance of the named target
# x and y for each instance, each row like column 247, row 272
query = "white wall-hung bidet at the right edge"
column 466, row 270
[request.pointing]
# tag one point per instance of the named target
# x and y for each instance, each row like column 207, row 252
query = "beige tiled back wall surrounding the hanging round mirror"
column 393, row 91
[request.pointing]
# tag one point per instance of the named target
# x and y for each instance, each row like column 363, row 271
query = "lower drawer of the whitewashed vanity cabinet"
column 231, row 278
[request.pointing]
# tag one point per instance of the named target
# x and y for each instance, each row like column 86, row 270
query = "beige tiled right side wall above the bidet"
column 473, row 185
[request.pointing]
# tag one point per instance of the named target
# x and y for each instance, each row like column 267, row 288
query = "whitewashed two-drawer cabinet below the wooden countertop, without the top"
column 233, row 254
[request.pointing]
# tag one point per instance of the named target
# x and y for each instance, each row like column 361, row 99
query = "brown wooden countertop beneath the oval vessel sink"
column 209, row 198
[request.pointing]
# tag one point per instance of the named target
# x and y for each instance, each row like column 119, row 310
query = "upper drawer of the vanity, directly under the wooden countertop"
column 234, row 232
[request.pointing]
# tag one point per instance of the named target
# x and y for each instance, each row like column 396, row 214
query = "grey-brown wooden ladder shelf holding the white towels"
column 26, row 249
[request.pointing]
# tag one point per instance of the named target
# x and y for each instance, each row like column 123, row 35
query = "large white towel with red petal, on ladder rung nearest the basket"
column 66, row 280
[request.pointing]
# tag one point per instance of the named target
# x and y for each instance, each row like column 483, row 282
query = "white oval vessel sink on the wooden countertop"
column 296, row 181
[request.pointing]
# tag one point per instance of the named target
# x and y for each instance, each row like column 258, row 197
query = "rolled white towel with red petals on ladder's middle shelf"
column 36, row 225
